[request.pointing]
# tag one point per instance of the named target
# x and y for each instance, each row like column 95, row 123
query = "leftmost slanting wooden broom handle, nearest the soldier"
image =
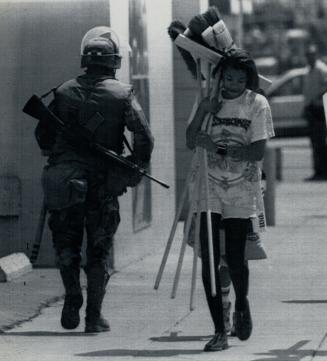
column 173, row 230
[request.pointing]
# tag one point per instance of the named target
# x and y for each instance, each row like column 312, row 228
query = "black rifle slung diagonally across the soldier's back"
column 79, row 136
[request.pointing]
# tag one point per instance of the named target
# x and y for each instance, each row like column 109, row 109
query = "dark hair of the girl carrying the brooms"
column 240, row 59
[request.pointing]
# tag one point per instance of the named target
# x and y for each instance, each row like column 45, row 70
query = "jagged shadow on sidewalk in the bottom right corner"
column 292, row 353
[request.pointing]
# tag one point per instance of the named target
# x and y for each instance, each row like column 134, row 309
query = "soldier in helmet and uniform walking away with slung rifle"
column 82, row 188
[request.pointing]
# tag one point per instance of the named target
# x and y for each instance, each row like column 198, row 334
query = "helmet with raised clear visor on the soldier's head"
column 100, row 46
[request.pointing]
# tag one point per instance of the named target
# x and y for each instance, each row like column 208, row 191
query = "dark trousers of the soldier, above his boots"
column 99, row 213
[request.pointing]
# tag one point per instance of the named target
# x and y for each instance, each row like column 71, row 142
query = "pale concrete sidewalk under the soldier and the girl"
column 288, row 295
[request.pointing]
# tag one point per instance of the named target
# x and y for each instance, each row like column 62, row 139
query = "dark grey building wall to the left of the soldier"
column 42, row 43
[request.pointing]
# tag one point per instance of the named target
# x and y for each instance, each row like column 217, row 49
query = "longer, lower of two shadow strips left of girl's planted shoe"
column 140, row 353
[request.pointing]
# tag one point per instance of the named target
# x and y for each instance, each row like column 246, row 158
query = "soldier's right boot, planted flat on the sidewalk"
column 97, row 280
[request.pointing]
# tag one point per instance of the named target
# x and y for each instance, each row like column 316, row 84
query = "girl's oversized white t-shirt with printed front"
column 235, row 186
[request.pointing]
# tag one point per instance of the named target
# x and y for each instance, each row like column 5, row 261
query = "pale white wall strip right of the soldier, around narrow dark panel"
column 131, row 245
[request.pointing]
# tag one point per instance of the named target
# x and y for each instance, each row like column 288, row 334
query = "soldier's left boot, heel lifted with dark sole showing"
column 70, row 318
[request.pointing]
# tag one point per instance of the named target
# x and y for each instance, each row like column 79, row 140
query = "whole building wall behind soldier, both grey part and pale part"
column 42, row 42
